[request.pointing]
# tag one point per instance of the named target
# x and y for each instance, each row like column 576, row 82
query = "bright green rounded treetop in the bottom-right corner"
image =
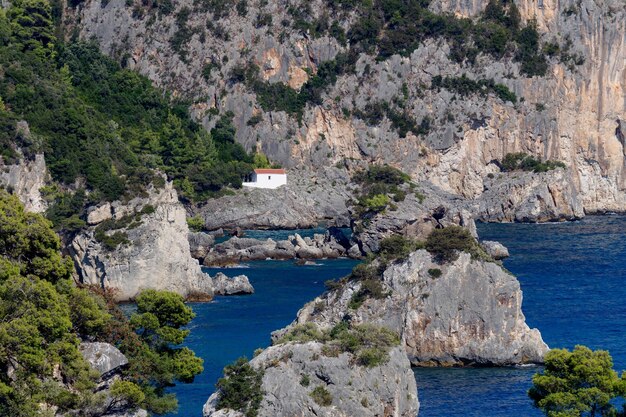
column 578, row 383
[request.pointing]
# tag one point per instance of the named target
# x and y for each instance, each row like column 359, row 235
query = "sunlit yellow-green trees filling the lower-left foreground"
column 44, row 316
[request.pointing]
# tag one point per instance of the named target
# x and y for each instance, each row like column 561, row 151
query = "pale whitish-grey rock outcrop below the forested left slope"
column 153, row 254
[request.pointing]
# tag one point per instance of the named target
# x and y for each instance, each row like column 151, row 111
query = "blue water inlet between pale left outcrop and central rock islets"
column 230, row 327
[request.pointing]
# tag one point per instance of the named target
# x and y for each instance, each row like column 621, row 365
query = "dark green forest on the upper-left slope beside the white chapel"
column 106, row 127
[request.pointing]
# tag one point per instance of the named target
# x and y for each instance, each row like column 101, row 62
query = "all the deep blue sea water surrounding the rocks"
column 573, row 276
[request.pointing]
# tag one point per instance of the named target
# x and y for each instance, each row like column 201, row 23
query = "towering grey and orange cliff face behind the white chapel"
column 575, row 113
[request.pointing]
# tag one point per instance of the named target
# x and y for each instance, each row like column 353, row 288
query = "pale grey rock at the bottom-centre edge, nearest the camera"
column 385, row 390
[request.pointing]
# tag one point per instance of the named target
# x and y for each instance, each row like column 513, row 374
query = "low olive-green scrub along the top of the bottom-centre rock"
column 370, row 344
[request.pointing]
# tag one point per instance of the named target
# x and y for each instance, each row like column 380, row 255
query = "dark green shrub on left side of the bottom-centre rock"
column 240, row 388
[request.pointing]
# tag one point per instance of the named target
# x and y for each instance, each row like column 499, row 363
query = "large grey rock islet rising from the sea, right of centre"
column 467, row 312
